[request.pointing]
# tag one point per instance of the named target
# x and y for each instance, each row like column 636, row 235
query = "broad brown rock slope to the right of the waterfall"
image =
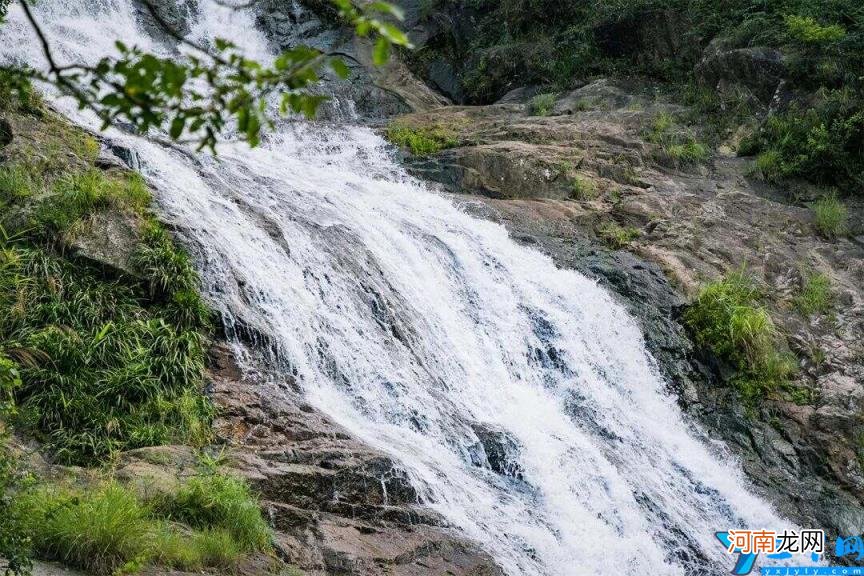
column 693, row 224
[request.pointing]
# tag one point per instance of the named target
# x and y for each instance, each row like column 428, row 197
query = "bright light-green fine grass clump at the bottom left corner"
column 109, row 528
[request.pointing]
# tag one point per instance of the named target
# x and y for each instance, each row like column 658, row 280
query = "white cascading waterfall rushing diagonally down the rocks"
column 425, row 331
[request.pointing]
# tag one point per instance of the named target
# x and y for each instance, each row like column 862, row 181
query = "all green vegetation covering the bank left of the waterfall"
column 95, row 360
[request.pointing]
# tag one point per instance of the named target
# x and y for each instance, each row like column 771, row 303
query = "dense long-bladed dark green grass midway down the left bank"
column 102, row 369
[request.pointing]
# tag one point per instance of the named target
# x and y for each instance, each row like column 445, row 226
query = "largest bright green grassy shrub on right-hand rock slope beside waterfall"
column 727, row 318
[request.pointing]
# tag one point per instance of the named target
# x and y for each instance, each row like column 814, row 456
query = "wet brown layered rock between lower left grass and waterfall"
column 337, row 506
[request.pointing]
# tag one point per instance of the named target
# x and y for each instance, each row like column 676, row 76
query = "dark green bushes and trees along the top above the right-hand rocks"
column 816, row 130
